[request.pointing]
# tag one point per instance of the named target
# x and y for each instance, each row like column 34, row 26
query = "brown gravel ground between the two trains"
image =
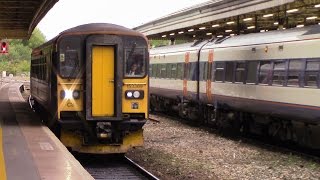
column 174, row 150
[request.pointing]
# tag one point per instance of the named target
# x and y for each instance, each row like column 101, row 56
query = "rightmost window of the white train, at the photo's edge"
column 311, row 78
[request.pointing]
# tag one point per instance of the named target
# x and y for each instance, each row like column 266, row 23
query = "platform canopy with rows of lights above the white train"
column 233, row 17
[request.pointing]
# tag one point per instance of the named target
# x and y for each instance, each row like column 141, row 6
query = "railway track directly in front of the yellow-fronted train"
column 113, row 167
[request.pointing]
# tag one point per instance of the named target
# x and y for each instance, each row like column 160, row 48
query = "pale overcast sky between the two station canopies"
column 129, row 13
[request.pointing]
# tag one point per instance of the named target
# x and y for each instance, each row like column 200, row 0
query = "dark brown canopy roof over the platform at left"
column 18, row 18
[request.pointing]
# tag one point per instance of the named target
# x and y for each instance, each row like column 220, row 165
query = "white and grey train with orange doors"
column 262, row 83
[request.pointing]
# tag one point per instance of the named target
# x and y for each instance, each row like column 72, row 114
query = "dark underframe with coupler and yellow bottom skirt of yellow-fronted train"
column 98, row 137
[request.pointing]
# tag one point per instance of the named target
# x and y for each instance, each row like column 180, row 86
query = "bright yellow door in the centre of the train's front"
column 103, row 60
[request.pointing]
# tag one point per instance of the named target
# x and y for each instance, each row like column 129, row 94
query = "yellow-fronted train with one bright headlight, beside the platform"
column 90, row 84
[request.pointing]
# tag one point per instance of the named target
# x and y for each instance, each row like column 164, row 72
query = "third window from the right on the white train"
column 279, row 73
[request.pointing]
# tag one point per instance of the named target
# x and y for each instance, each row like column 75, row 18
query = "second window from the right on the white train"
column 294, row 72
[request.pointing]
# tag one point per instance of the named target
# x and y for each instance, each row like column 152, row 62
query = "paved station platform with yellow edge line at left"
column 28, row 149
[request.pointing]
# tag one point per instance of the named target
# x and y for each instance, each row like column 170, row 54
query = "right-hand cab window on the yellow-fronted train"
column 135, row 62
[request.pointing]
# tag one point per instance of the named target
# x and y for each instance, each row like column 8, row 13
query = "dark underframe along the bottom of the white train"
column 234, row 121
